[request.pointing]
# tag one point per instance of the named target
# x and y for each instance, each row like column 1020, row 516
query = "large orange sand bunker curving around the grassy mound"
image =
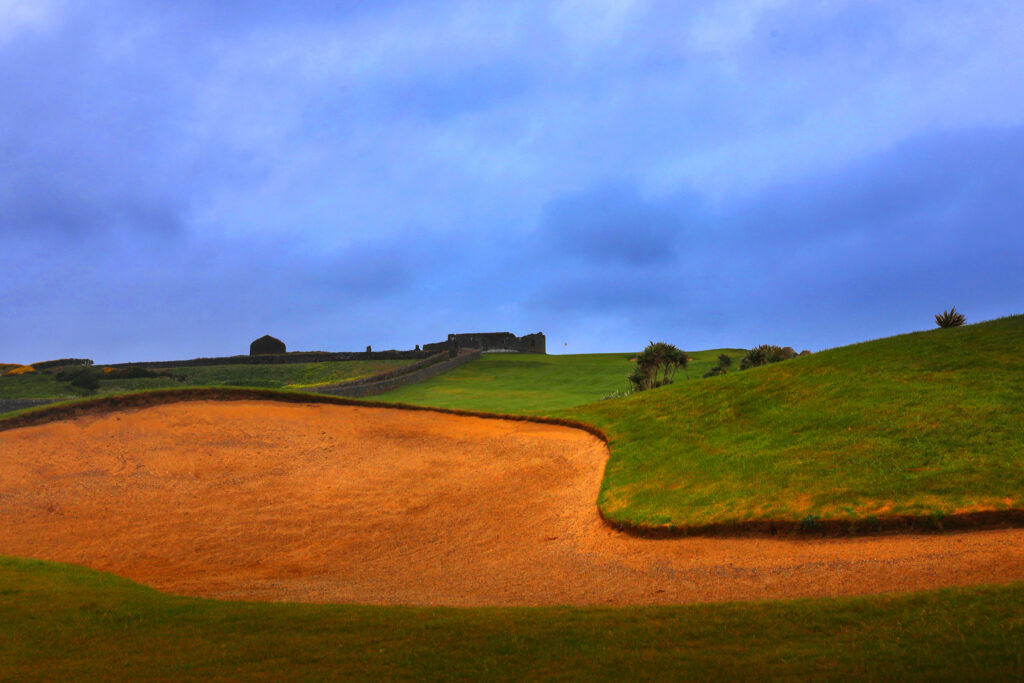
column 274, row 501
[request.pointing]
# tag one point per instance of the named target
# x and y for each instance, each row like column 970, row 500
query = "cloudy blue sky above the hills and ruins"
column 178, row 180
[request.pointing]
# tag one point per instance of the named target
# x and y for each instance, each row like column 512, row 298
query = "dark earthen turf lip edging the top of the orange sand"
column 756, row 528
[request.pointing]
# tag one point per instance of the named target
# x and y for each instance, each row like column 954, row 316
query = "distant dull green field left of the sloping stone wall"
column 294, row 376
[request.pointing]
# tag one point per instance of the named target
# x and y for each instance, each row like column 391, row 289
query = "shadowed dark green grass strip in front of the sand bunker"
column 63, row 622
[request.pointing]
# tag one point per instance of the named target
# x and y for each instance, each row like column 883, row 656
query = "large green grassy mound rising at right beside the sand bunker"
column 929, row 423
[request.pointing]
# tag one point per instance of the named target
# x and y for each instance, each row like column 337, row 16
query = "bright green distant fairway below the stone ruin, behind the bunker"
column 530, row 385
